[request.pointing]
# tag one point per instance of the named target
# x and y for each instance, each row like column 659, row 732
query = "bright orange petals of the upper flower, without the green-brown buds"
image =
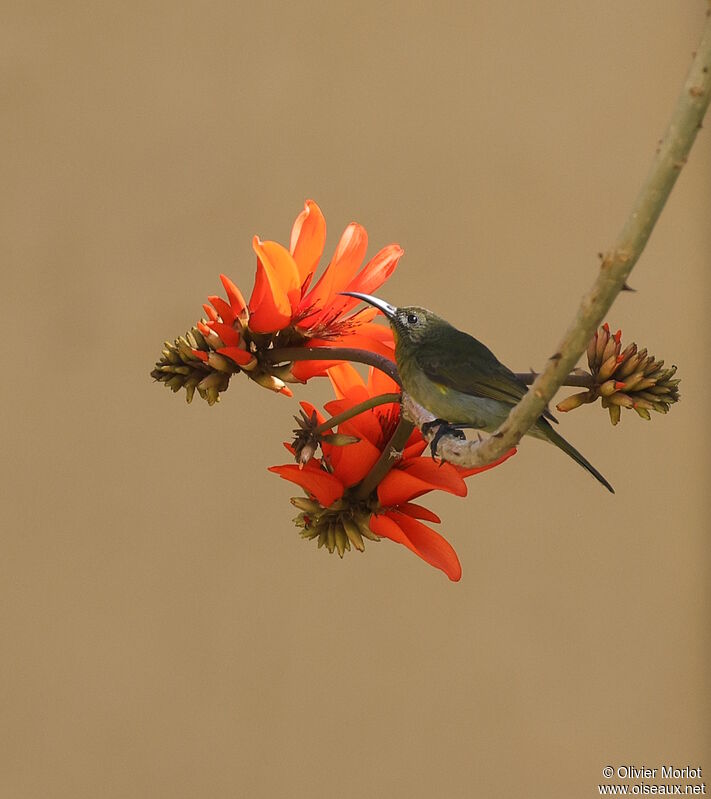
column 284, row 310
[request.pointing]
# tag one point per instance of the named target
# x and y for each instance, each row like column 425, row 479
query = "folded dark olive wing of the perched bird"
column 470, row 367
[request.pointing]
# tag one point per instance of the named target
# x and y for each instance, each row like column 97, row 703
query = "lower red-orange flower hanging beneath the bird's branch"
column 335, row 512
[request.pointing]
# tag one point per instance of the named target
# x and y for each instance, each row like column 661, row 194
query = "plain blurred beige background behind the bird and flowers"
column 165, row 631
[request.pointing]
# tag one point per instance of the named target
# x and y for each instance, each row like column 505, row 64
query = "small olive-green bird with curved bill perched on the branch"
column 458, row 379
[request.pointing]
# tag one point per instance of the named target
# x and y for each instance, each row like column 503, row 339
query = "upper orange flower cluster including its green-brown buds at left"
column 284, row 312
